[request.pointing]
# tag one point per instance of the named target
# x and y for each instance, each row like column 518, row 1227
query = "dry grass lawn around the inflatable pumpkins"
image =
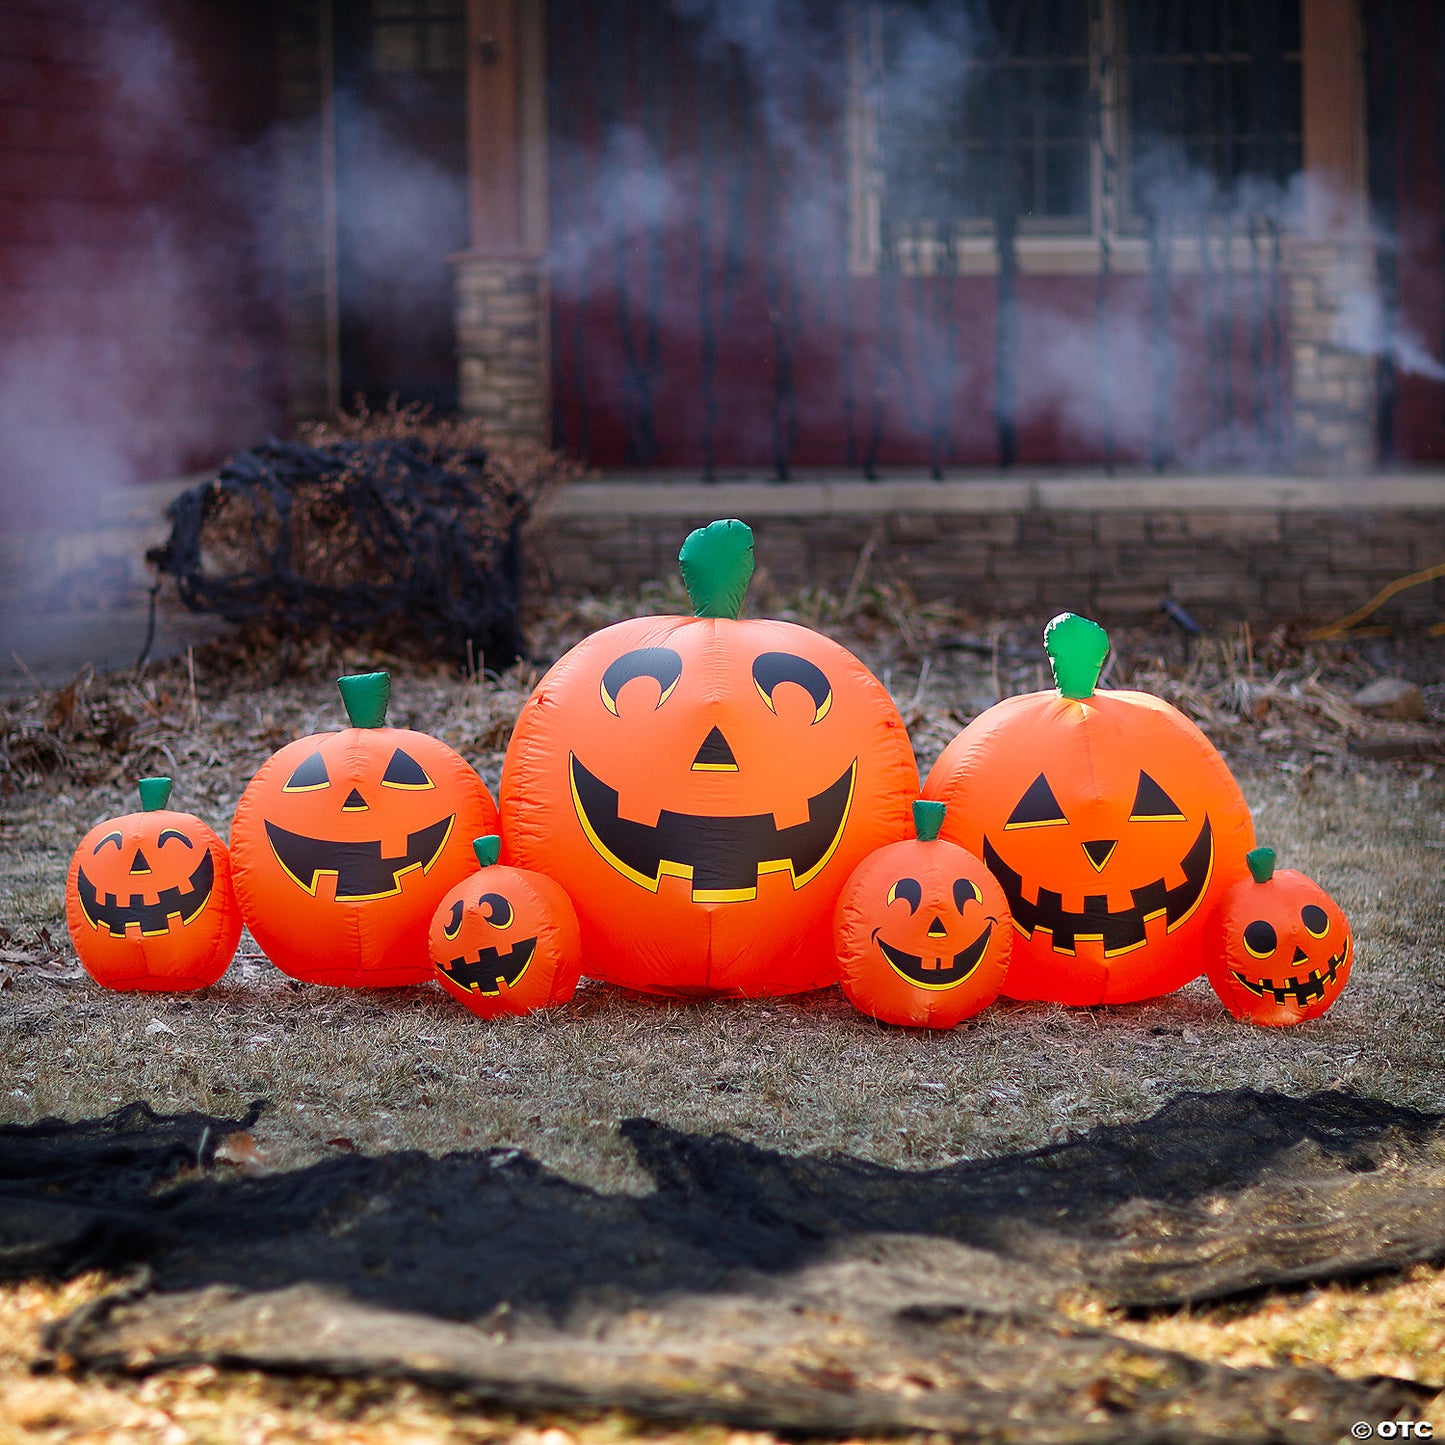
column 408, row 1069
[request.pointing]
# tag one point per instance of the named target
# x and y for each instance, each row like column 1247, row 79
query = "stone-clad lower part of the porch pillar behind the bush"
column 502, row 343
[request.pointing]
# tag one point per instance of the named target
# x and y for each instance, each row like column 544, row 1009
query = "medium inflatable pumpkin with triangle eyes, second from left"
column 345, row 845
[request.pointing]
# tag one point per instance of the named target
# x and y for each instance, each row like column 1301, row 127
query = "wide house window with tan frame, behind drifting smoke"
column 1061, row 119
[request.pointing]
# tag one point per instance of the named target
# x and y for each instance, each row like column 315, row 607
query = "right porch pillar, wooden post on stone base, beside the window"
column 1332, row 265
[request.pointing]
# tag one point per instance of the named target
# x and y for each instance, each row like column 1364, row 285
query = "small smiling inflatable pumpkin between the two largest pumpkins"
column 923, row 931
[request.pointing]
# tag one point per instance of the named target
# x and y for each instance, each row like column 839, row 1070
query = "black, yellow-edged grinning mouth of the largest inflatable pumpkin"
column 723, row 856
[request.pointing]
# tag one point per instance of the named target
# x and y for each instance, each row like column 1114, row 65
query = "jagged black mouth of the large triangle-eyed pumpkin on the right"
column 1122, row 930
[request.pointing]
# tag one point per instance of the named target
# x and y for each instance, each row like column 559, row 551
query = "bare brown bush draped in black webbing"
column 389, row 522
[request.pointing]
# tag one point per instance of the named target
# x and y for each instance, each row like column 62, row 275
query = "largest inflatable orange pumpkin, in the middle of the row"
column 706, row 785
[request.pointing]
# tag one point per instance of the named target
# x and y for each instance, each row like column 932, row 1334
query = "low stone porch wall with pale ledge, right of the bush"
column 1226, row 550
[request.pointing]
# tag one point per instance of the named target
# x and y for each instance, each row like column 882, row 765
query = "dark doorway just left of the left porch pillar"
column 401, row 126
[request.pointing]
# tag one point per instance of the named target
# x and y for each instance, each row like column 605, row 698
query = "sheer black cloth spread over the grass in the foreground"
column 751, row 1287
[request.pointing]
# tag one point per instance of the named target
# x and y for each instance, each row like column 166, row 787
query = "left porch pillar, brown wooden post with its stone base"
column 504, row 348
